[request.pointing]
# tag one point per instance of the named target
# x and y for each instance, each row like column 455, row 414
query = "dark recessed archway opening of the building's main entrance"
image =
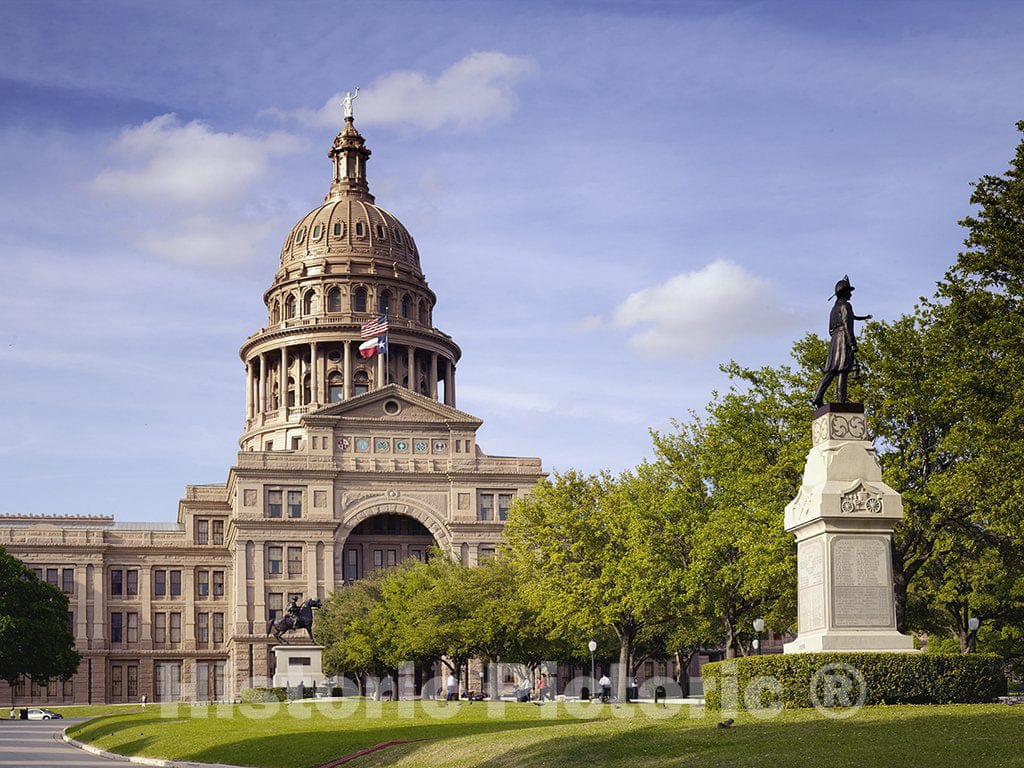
column 383, row 541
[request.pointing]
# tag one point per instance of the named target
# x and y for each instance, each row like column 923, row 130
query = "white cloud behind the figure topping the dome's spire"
column 476, row 91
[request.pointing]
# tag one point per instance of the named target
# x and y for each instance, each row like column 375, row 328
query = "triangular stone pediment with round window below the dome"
column 395, row 404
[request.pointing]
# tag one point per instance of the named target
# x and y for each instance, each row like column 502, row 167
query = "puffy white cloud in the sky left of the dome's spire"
column 191, row 164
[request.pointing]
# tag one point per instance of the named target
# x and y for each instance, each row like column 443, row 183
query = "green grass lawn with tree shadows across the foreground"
column 303, row 736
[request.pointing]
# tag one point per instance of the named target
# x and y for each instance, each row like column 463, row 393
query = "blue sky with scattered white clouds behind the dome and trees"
column 610, row 199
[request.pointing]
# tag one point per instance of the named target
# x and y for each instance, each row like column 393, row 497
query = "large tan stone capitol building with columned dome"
column 351, row 460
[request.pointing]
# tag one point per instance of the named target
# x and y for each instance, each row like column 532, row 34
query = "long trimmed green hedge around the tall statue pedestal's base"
column 786, row 680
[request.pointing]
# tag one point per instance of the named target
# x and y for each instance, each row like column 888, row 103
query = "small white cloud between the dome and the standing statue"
column 698, row 313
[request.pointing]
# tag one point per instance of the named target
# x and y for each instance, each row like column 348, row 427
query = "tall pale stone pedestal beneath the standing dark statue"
column 843, row 519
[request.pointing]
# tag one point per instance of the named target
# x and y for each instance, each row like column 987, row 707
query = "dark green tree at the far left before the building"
column 35, row 639
